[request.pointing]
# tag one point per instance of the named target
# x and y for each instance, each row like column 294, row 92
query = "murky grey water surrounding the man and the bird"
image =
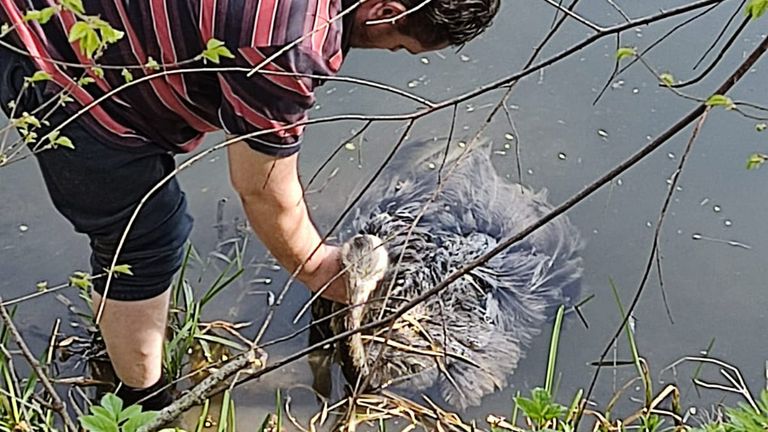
column 714, row 290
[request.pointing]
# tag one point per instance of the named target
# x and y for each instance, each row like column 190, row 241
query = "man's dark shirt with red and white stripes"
column 174, row 111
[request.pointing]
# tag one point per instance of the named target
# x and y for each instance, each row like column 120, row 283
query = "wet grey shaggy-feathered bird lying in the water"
column 468, row 339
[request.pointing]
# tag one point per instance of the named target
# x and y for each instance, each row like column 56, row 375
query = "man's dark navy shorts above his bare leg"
column 97, row 188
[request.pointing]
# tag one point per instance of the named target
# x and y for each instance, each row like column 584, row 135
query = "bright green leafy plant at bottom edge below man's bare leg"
column 109, row 416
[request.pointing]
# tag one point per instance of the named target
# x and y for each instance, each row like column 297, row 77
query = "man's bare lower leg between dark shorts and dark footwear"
column 134, row 332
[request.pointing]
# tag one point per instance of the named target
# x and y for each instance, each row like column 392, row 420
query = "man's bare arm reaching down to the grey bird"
column 273, row 200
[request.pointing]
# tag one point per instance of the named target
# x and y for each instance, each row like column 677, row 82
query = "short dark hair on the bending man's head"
column 453, row 21
